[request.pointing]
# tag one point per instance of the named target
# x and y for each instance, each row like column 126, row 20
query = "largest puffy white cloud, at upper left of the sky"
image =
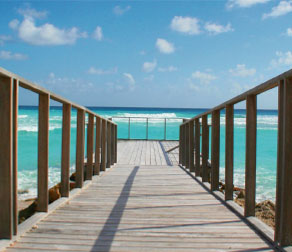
column 47, row 34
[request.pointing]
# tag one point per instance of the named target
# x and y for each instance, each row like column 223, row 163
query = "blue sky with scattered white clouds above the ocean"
column 147, row 53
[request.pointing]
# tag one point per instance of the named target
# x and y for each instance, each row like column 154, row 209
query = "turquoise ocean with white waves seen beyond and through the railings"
column 267, row 122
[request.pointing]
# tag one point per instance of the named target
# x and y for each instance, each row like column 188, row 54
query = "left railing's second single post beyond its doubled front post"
column 65, row 163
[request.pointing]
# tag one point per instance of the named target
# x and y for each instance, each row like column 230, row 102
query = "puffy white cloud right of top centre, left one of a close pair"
column 187, row 25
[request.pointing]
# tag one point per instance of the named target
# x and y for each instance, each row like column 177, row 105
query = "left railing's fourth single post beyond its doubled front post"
column 90, row 136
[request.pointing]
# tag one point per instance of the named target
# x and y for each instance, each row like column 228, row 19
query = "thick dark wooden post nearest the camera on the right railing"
column 284, row 206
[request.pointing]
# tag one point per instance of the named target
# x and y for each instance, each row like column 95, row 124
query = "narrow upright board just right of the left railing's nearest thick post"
column 15, row 156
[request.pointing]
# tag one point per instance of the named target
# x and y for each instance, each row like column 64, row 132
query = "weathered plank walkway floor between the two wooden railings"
column 144, row 203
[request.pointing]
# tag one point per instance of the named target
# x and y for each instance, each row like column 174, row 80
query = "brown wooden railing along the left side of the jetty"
column 99, row 157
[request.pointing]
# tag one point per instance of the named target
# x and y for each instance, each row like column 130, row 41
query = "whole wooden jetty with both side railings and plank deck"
column 134, row 195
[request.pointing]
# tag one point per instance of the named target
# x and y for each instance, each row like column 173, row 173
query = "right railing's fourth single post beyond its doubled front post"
column 205, row 148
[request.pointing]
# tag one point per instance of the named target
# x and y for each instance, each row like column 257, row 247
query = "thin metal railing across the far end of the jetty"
column 144, row 122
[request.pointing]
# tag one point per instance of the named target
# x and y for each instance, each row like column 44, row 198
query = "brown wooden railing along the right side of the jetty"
column 190, row 141
